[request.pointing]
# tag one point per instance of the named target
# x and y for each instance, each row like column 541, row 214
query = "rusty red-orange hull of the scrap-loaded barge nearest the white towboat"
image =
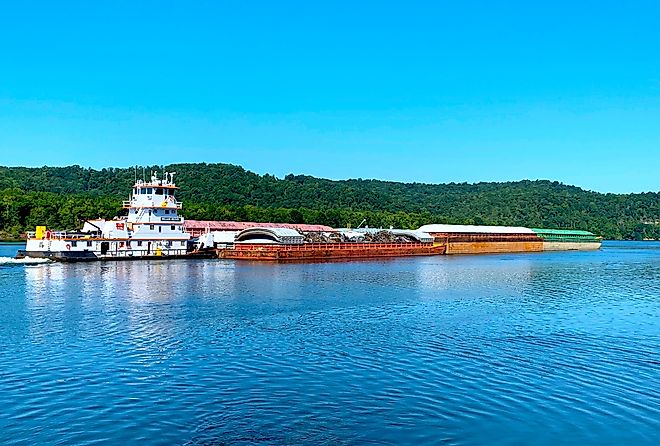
column 328, row 251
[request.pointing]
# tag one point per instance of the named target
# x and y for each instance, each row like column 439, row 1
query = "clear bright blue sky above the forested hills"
column 408, row 91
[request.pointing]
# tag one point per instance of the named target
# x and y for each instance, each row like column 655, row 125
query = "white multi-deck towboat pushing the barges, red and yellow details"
column 152, row 229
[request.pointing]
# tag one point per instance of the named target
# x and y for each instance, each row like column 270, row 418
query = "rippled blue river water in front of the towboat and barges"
column 556, row 348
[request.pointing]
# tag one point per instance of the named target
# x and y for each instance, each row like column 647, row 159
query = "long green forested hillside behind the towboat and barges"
column 62, row 197
